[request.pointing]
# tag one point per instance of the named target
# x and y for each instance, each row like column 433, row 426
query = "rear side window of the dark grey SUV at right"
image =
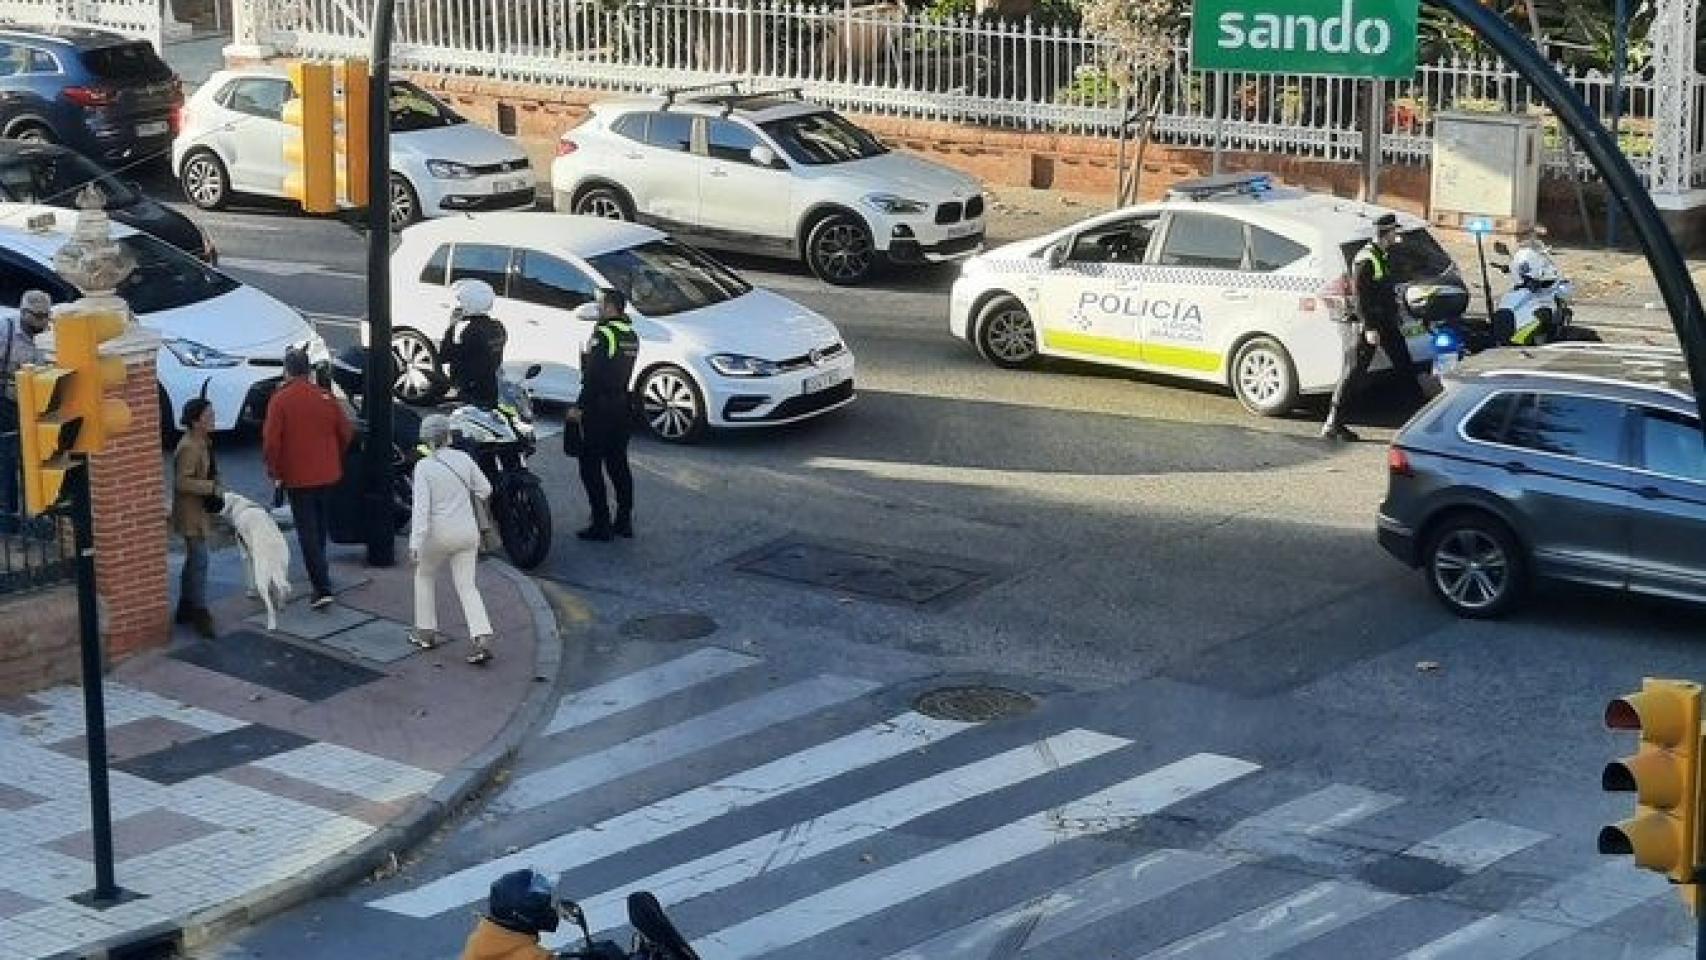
column 1555, row 424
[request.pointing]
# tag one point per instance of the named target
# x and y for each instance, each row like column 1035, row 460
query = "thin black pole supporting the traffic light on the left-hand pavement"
column 95, row 697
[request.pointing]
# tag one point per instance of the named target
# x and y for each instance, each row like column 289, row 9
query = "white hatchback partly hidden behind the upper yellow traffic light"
column 233, row 142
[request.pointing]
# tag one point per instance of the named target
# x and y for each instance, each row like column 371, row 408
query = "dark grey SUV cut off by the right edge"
column 1577, row 463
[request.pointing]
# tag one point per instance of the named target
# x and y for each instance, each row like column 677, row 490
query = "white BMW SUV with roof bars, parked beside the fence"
column 767, row 173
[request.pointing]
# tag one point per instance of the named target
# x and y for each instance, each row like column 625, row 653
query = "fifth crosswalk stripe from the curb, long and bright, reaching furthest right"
column 1101, row 813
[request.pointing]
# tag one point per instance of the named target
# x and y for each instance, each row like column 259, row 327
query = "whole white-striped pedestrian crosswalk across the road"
column 871, row 835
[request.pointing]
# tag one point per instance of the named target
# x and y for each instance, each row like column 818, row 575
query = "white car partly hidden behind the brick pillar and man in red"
column 221, row 337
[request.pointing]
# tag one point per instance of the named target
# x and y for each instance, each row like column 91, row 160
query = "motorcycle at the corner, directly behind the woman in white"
column 499, row 439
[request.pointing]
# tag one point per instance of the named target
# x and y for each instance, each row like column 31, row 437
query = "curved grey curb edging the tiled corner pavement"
column 402, row 835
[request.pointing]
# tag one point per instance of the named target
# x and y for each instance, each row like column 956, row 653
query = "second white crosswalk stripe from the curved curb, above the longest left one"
column 682, row 741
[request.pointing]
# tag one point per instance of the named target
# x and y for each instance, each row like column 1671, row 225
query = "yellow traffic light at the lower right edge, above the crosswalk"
column 1664, row 775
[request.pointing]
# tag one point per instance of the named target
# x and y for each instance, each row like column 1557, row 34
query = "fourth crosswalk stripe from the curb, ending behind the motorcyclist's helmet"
column 854, row 823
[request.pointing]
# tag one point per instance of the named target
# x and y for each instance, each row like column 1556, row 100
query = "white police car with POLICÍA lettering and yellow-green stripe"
column 1229, row 280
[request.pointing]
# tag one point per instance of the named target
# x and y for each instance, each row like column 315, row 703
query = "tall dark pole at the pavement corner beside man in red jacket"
column 376, row 403
